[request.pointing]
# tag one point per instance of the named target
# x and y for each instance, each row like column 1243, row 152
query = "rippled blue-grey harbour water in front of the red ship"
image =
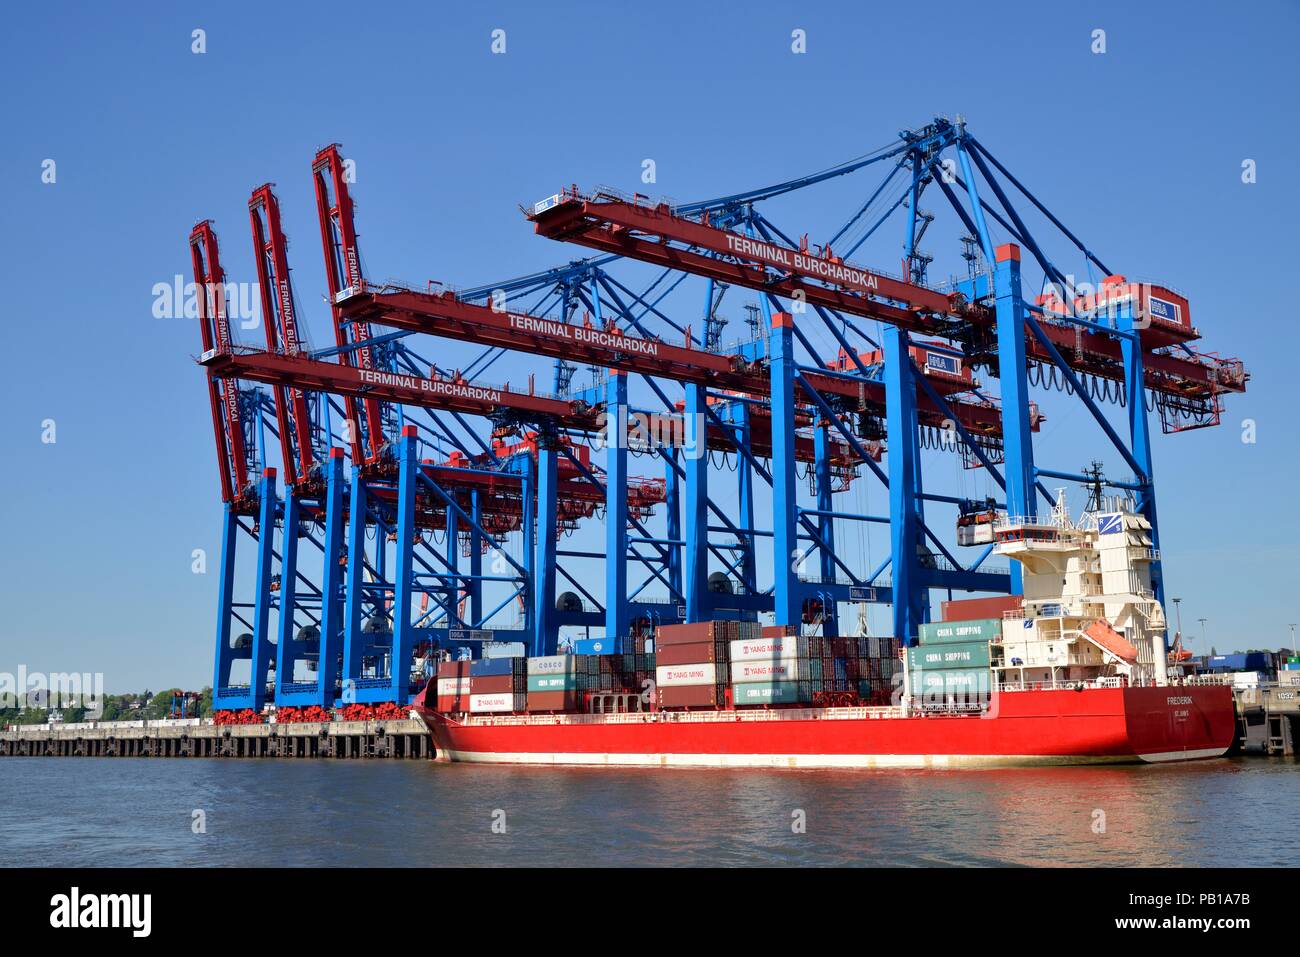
column 105, row 812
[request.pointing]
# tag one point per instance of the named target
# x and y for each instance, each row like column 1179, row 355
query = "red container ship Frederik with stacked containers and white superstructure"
column 1074, row 670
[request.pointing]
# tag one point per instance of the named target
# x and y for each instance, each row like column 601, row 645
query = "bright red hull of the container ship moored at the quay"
column 1033, row 728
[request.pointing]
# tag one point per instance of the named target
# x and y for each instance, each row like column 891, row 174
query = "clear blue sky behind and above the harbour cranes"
column 1139, row 150
